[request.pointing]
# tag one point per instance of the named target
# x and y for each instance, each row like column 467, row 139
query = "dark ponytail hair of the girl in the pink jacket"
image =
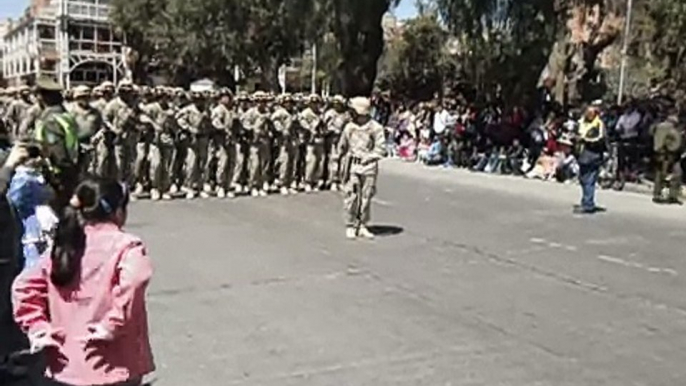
column 95, row 201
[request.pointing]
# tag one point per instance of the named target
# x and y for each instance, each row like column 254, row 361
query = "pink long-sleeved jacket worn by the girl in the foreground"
column 109, row 293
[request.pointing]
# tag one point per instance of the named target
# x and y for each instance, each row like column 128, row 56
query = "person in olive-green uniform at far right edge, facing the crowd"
column 668, row 144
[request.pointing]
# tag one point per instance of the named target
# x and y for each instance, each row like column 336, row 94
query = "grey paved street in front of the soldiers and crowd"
column 478, row 280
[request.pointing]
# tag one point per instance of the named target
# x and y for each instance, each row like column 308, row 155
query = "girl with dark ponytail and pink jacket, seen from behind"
column 84, row 304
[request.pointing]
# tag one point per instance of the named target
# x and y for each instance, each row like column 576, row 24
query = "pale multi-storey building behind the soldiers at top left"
column 70, row 40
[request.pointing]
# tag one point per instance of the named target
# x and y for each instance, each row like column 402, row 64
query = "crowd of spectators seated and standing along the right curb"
column 537, row 145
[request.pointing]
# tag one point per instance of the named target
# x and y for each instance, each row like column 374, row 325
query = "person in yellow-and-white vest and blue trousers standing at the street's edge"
column 592, row 145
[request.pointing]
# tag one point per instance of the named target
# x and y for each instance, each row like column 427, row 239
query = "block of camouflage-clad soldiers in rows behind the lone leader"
column 163, row 141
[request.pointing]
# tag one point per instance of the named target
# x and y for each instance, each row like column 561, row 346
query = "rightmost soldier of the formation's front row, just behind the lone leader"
column 335, row 119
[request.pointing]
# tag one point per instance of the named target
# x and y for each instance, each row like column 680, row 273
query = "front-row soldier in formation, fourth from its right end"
column 256, row 122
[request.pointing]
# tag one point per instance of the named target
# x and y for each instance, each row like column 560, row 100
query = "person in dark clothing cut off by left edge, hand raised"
column 11, row 338
